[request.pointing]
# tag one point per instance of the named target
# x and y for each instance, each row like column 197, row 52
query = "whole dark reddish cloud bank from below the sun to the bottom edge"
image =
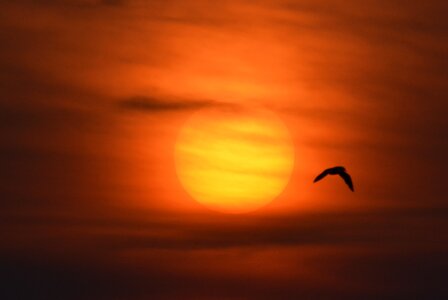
column 362, row 254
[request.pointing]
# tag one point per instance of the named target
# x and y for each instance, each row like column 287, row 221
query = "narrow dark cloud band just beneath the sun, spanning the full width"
column 209, row 231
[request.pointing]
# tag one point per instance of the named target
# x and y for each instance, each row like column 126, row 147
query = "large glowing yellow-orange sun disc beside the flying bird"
column 234, row 159
